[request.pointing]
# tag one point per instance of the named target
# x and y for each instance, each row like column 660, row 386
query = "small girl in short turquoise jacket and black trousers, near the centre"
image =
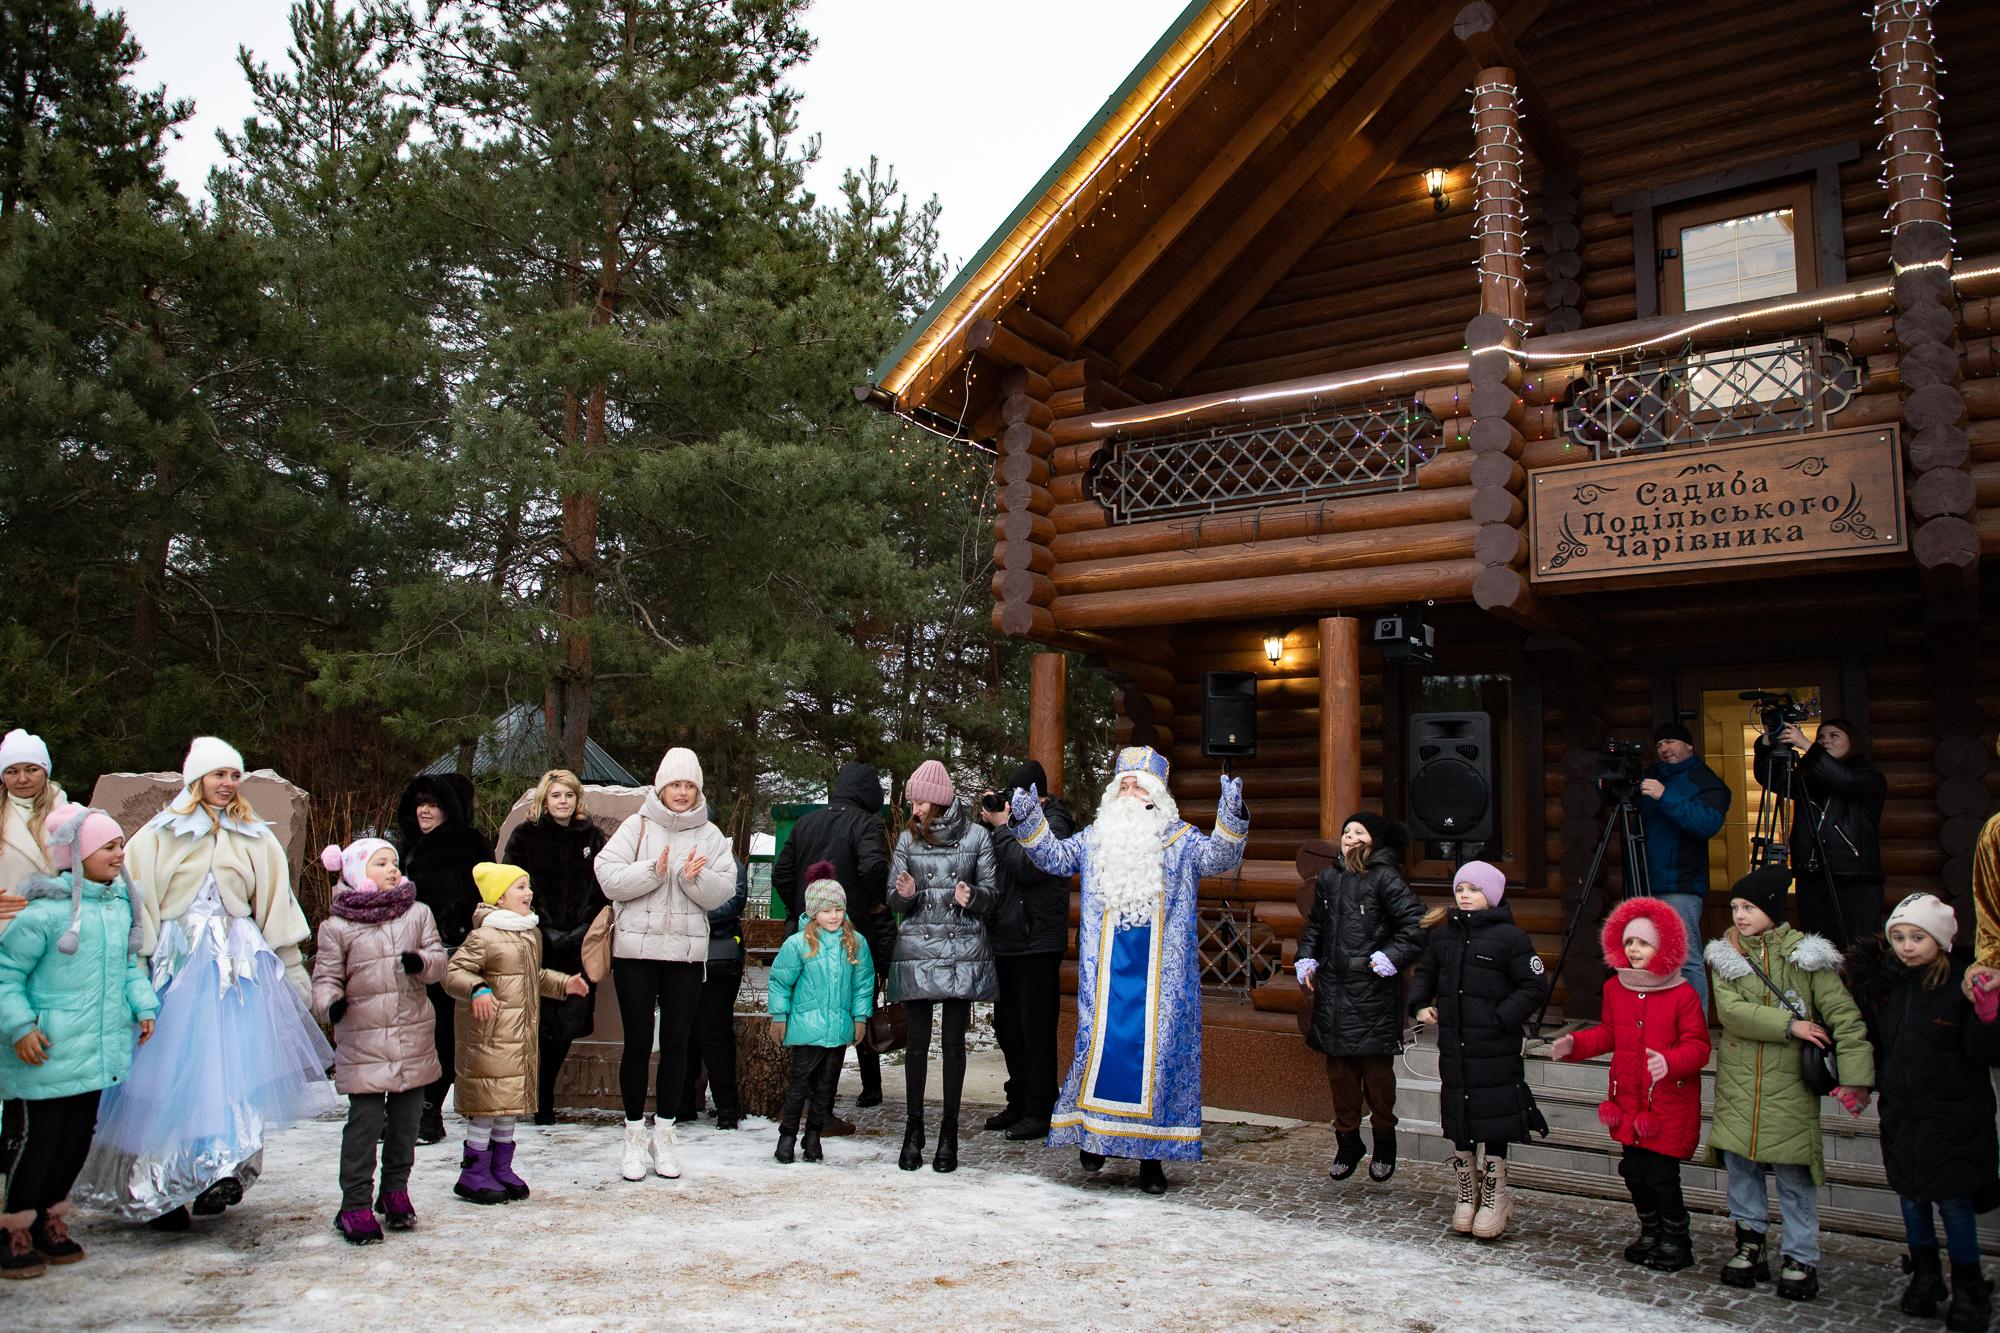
column 821, row 998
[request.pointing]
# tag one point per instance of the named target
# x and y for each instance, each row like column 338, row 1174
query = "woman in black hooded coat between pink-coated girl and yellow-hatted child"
column 439, row 846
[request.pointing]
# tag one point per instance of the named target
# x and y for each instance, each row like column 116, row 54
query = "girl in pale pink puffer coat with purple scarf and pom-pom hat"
column 377, row 954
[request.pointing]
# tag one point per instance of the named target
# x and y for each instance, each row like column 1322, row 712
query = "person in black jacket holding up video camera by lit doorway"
column 1837, row 814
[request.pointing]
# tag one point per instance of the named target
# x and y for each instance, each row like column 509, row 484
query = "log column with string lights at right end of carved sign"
column 1943, row 495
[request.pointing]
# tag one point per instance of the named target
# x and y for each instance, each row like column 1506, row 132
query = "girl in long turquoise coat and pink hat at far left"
column 71, row 994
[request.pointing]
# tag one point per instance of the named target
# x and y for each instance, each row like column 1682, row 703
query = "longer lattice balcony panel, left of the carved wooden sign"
column 1287, row 461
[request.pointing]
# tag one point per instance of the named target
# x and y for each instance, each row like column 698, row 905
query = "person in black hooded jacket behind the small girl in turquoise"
column 849, row 834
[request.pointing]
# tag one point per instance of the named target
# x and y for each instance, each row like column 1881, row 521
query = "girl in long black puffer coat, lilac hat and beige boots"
column 1481, row 982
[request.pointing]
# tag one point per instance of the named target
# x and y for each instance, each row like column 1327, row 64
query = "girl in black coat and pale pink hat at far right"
column 1935, row 1094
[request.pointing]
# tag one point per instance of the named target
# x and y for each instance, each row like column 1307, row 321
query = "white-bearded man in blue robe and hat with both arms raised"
column 1135, row 1086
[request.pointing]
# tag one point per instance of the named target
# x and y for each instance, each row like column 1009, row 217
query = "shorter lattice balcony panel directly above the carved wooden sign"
column 1709, row 397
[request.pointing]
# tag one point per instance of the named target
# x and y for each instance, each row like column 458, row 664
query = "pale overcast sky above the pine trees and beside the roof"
column 915, row 83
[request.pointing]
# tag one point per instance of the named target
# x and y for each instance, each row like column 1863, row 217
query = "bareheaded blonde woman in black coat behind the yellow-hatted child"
column 559, row 848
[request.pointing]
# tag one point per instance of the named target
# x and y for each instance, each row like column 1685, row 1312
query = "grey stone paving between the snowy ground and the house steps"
column 1279, row 1172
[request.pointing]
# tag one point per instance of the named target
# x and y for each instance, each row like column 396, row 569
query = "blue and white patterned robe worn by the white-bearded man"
column 1135, row 1086
